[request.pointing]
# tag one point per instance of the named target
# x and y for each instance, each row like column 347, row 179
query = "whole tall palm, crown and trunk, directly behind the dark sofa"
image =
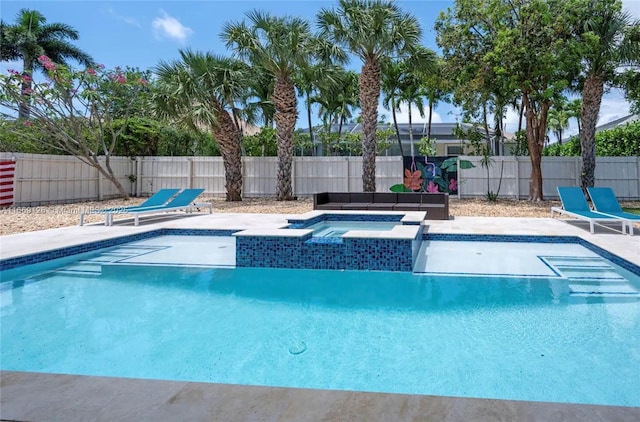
column 372, row 30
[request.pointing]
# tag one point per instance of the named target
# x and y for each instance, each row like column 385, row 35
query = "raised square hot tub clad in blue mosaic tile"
column 358, row 245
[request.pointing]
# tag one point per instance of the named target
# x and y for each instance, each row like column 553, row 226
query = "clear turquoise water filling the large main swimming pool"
column 483, row 336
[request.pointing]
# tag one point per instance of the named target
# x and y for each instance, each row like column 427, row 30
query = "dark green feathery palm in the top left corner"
column 30, row 37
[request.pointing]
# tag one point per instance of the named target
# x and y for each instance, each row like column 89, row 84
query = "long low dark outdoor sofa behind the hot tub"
column 436, row 205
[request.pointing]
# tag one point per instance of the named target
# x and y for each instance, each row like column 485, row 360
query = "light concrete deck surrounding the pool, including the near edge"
column 36, row 396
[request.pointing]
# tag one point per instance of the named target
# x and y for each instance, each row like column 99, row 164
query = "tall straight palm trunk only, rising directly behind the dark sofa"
column 369, row 97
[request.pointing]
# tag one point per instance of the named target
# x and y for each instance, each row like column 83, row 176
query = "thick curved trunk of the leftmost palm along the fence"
column 229, row 137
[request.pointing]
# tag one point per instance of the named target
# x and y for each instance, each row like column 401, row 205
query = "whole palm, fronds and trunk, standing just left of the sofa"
column 281, row 46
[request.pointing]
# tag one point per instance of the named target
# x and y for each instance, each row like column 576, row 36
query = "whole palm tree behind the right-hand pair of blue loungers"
column 609, row 43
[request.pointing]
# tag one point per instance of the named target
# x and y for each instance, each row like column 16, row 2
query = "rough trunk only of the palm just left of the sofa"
column 284, row 99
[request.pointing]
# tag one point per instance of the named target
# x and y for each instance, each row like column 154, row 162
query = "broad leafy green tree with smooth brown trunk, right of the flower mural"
column 514, row 47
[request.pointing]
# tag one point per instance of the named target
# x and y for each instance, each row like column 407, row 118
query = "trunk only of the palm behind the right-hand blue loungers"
column 591, row 99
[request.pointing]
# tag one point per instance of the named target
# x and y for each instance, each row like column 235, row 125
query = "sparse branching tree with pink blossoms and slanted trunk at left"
column 73, row 108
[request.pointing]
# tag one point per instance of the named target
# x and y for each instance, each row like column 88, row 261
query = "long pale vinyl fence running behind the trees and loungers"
column 52, row 179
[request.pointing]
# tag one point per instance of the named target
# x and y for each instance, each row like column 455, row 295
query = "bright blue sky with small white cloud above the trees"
column 141, row 33
